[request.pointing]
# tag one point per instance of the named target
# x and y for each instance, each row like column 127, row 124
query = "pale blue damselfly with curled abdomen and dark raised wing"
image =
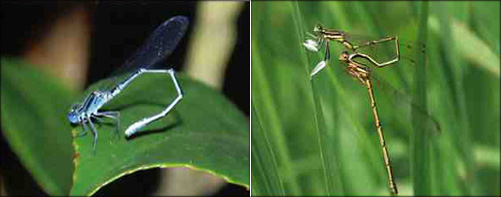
column 161, row 43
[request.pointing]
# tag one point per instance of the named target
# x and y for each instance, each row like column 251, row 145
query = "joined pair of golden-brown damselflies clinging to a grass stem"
column 360, row 71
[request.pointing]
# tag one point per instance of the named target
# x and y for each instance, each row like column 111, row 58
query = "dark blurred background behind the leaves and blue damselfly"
column 107, row 34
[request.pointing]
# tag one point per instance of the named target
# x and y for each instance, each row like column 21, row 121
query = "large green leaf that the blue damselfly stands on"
column 203, row 132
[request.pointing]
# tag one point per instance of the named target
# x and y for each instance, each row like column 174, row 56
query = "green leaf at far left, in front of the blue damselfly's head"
column 33, row 108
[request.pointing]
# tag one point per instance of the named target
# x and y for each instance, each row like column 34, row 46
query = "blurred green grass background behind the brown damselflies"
column 317, row 137
